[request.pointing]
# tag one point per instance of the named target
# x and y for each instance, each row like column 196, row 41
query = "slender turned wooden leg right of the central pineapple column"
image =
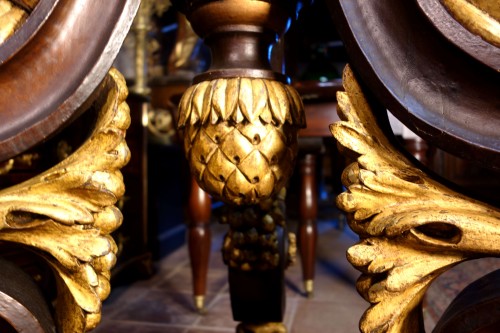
column 308, row 211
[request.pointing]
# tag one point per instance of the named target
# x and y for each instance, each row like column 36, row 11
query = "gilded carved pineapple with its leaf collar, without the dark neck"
column 241, row 136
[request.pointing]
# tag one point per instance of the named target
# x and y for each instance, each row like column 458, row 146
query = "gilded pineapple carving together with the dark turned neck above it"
column 240, row 118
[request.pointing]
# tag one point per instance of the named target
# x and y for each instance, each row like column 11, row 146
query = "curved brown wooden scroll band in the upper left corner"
column 57, row 69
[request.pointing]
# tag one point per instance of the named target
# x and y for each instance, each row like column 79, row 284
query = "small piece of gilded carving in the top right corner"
column 478, row 16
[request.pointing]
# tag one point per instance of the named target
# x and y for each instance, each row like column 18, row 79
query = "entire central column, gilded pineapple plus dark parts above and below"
column 241, row 121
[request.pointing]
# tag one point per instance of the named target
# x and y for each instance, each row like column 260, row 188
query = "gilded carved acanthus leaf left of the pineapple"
column 67, row 213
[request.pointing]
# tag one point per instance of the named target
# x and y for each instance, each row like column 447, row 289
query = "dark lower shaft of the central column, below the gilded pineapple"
column 256, row 250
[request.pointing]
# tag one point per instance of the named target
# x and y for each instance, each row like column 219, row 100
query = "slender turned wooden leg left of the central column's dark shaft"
column 199, row 242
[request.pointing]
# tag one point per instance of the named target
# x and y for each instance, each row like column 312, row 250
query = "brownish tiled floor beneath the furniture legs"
column 164, row 302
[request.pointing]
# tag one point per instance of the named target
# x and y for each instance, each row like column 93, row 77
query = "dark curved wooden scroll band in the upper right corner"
column 437, row 91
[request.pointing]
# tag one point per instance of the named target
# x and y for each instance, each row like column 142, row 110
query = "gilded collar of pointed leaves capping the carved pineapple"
column 241, row 100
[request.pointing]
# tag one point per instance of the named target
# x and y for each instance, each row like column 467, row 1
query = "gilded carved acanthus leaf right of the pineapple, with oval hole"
column 412, row 228
